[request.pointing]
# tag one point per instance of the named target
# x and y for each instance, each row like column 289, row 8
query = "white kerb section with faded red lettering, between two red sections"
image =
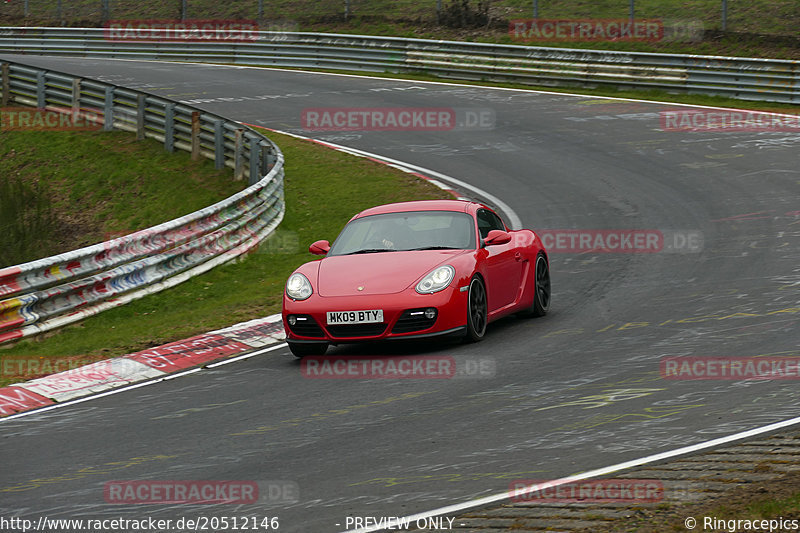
column 92, row 378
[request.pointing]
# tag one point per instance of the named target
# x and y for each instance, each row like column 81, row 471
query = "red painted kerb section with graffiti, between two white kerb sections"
column 188, row 353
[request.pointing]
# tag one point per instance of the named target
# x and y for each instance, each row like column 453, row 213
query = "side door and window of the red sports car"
column 504, row 265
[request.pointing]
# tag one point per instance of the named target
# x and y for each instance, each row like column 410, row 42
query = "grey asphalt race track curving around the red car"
column 576, row 390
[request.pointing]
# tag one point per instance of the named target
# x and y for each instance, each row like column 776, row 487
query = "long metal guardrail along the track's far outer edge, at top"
column 744, row 78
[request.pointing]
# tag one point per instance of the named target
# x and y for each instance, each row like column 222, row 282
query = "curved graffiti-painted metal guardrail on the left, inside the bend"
column 47, row 293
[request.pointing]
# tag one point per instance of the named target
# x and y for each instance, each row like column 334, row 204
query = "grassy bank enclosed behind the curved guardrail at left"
column 94, row 185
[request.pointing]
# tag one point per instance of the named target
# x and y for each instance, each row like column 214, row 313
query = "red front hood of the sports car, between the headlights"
column 377, row 273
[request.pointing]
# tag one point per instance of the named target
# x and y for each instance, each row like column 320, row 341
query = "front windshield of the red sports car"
column 406, row 231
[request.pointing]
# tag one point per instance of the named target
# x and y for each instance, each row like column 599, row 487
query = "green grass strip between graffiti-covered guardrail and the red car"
column 323, row 190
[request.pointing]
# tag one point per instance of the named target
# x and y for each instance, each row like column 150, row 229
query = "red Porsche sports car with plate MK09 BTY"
column 412, row 270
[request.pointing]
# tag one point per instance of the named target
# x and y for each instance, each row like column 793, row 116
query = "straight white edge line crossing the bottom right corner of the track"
column 460, row 507
